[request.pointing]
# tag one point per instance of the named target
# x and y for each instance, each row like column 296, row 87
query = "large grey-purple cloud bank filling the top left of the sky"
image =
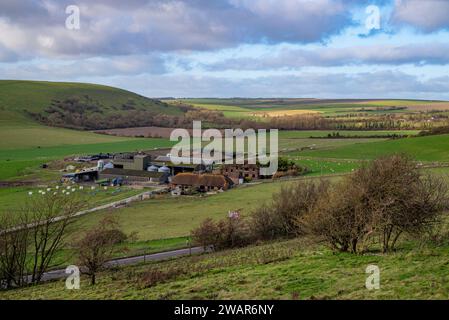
column 138, row 27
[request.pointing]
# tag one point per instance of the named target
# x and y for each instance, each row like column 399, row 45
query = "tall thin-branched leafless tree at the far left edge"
column 30, row 238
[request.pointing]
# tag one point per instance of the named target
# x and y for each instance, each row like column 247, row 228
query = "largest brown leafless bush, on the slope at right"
column 382, row 201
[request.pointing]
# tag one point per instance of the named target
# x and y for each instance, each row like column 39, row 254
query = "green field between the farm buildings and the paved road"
column 170, row 217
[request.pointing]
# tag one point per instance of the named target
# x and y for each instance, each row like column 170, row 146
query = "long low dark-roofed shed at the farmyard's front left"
column 129, row 176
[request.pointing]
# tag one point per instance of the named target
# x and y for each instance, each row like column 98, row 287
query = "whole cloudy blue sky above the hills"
column 233, row 48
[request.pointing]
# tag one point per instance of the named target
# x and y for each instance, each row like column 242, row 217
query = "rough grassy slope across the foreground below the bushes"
column 285, row 270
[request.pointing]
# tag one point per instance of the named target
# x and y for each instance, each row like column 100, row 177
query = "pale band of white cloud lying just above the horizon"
column 381, row 84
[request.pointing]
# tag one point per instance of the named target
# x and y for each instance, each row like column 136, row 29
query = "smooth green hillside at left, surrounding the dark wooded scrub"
column 26, row 144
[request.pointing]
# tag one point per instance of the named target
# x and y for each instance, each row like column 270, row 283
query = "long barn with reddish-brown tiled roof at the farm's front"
column 201, row 182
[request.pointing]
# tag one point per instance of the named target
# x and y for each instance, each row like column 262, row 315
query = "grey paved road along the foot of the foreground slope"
column 60, row 274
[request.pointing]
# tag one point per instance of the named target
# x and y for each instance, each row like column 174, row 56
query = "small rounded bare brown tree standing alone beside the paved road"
column 97, row 246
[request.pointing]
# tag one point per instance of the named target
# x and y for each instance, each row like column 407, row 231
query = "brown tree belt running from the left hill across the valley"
column 84, row 113
